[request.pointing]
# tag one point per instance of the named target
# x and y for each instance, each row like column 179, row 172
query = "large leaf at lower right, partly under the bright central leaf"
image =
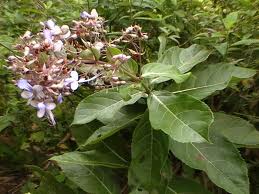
column 220, row 160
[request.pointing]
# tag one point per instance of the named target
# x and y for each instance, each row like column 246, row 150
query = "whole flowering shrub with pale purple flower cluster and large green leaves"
column 158, row 106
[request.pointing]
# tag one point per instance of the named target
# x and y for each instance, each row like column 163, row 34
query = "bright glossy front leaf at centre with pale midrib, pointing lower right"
column 182, row 117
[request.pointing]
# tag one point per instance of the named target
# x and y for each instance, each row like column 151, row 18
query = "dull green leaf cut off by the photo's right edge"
column 235, row 129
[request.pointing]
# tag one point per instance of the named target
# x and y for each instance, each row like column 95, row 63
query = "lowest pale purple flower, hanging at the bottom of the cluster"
column 44, row 109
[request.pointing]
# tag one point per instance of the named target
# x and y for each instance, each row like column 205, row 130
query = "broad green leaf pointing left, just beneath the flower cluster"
column 102, row 105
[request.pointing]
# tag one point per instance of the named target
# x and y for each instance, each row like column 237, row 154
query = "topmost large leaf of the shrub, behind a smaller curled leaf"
column 184, row 59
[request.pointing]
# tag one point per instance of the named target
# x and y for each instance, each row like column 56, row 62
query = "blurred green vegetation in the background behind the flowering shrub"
column 229, row 28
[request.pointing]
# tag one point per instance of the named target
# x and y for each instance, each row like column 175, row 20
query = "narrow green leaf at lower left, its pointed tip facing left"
column 98, row 157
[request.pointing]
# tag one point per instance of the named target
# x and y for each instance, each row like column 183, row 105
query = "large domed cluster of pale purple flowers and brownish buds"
column 57, row 60
